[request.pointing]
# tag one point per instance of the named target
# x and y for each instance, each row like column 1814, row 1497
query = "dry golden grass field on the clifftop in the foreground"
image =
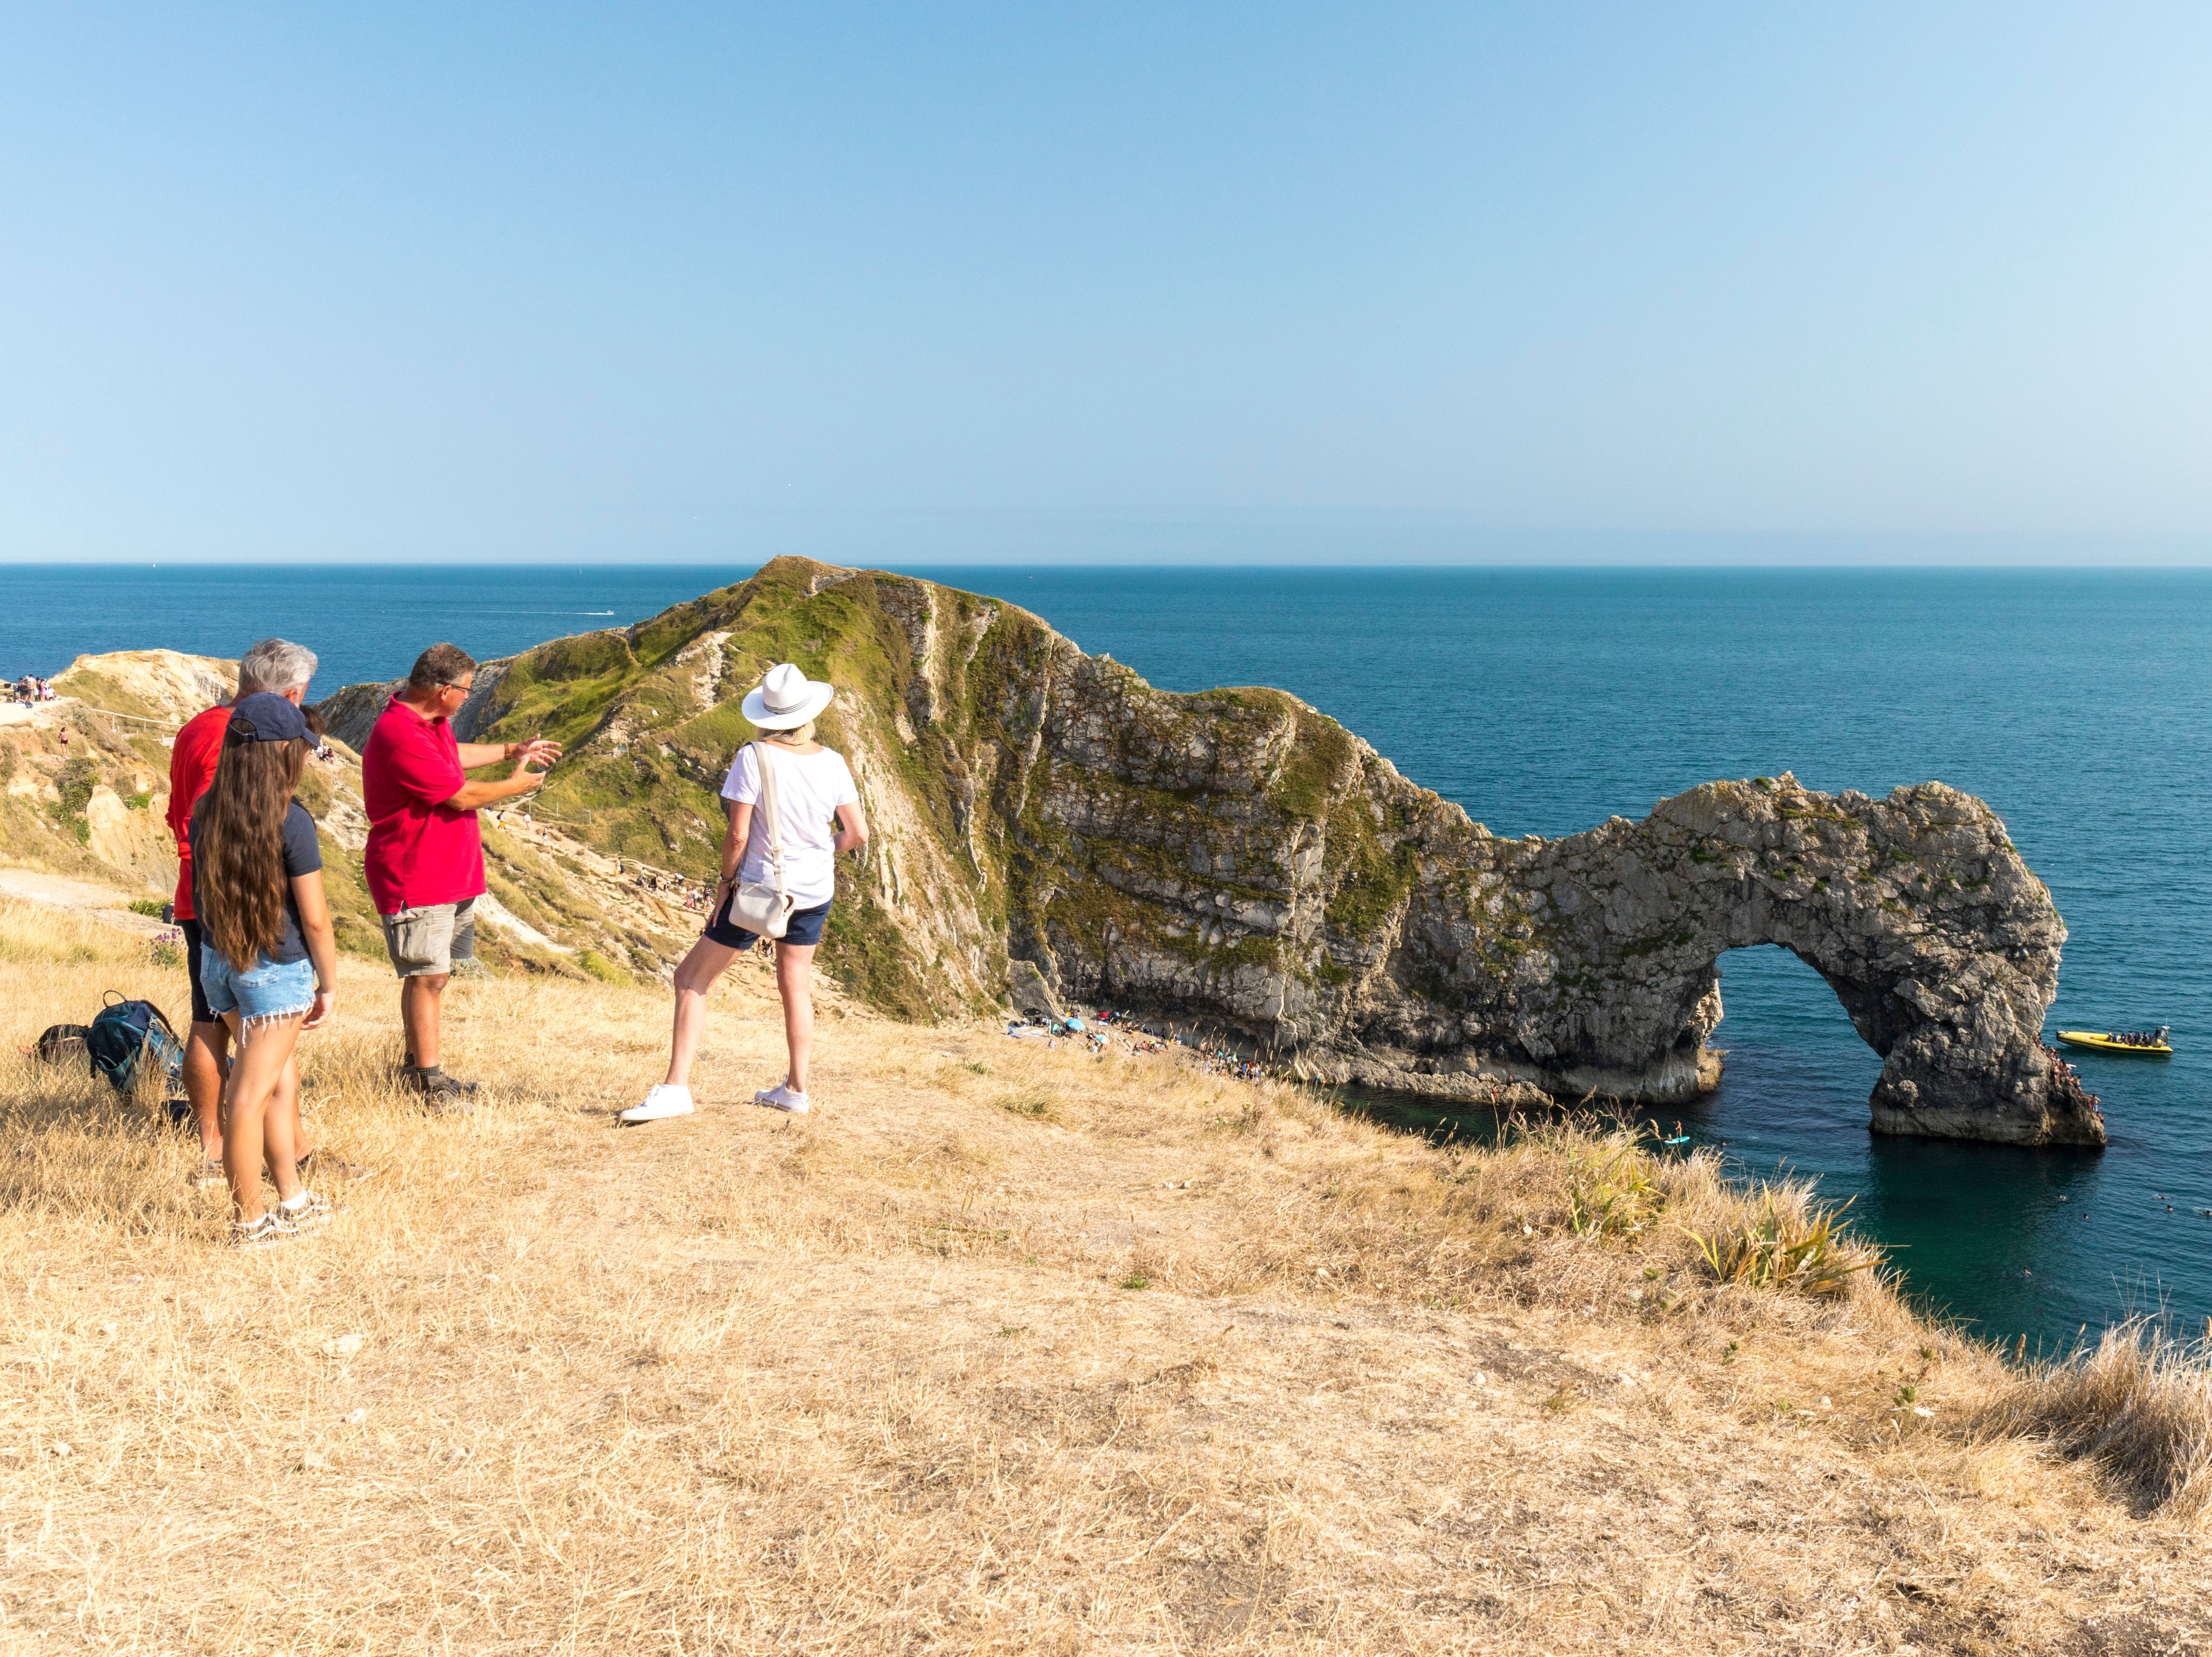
column 997, row 1353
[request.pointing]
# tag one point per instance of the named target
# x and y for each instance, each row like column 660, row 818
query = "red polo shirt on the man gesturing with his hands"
column 421, row 851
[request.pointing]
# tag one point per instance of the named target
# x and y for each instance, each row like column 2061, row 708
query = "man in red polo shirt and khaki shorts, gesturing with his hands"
column 426, row 855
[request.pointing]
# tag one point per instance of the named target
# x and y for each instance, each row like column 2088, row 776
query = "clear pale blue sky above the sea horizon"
column 1107, row 284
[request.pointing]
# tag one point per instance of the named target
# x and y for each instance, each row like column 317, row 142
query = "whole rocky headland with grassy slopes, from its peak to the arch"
column 1244, row 859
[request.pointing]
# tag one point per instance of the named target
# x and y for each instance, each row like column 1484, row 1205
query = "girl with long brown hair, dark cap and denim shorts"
column 267, row 961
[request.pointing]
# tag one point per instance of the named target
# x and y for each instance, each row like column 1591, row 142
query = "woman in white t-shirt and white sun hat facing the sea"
column 820, row 815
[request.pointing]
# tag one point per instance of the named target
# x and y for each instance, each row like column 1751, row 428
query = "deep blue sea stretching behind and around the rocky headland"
column 2076, row 705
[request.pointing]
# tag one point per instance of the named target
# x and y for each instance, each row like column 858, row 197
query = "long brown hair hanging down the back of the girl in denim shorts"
column 238, row 848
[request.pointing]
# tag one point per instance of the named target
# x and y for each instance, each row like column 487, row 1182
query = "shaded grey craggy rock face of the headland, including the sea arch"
column 1244, row 857
